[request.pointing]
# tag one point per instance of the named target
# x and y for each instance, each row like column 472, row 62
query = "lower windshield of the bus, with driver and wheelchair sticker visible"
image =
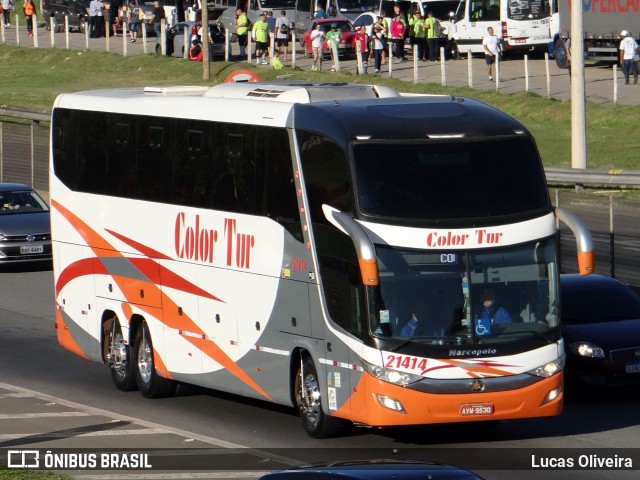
column 466, row 297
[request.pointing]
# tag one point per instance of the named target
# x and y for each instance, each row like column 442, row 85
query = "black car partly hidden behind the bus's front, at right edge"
column 601, row 331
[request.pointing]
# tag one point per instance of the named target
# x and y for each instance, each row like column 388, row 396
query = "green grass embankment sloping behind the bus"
column 33, row 78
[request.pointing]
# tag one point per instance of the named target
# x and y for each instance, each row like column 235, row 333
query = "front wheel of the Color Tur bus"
column 316, row 423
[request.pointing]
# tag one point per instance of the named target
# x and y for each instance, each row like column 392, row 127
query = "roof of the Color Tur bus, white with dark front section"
column 350, row 110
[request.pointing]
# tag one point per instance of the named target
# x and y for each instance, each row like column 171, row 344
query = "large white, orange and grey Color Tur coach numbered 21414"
column 278, row 241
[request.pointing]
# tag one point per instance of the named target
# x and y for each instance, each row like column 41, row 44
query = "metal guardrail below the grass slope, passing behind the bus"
column 555, row 175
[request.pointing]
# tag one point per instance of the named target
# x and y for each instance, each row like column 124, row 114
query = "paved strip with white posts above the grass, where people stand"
column 603, row 84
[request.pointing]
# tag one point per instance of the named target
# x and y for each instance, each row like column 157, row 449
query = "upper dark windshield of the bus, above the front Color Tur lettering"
column 440, row 181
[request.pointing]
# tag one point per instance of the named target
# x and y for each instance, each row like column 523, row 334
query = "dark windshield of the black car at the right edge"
column 587, row 303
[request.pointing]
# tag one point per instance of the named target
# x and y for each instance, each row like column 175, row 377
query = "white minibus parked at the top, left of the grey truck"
column 523, row 25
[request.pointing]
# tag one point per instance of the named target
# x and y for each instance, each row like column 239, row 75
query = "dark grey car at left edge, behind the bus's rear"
column 25, row 230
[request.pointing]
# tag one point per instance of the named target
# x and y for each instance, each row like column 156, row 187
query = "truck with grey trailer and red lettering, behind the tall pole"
column 602, row 23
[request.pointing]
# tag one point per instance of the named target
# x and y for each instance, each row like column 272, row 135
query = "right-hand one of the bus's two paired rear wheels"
column 151, row 385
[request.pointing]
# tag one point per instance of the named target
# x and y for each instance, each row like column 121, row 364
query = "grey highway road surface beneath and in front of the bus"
column 50, row 398
